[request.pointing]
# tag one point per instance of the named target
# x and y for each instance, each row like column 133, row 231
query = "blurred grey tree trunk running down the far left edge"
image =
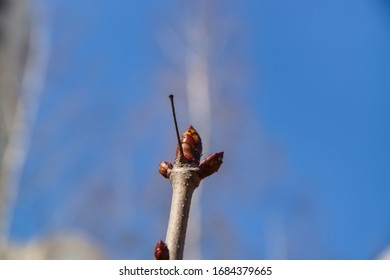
column 14, row 43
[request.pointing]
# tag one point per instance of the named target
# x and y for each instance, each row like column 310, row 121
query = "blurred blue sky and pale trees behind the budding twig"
column 296, row 93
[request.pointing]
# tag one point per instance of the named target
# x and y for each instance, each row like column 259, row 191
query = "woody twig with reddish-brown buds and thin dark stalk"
column 185, row 175
